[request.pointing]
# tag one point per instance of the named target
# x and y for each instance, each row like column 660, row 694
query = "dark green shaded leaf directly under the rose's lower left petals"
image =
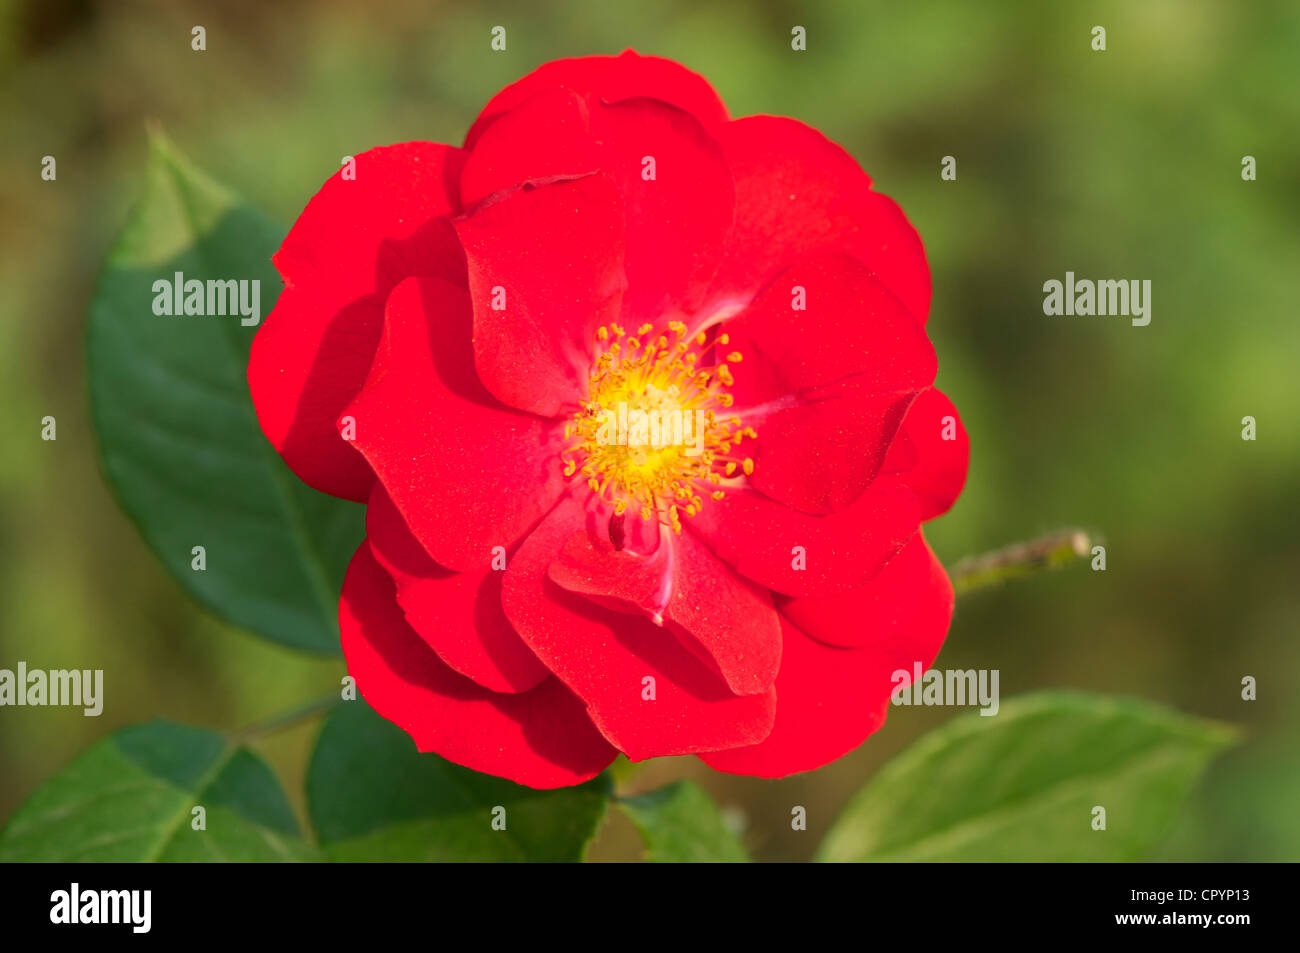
column 374, row 798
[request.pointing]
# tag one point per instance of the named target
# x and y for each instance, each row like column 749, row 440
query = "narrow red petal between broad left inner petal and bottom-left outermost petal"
column 458, row 614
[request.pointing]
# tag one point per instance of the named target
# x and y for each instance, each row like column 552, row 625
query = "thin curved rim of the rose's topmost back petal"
column 612, row 79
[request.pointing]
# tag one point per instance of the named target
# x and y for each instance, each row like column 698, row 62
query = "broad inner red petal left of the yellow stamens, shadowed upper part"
column 466, row 474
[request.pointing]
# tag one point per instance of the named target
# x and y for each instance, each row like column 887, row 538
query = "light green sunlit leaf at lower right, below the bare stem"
column 1022, row 786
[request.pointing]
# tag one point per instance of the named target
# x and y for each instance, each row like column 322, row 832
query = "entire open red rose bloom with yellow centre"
column 493, row 330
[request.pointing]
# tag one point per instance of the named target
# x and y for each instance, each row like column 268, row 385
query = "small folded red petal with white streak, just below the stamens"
column 717, row 614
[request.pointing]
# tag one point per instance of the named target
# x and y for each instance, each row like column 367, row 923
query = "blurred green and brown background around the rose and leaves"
column 1120, row 164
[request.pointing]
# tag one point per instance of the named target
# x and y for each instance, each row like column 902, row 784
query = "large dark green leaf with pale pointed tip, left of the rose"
column 179, row 437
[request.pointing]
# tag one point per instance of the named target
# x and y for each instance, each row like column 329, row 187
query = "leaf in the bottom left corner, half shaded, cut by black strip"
column 131, row 798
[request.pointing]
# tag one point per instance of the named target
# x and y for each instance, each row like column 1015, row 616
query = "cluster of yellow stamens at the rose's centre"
column 651, row 434
